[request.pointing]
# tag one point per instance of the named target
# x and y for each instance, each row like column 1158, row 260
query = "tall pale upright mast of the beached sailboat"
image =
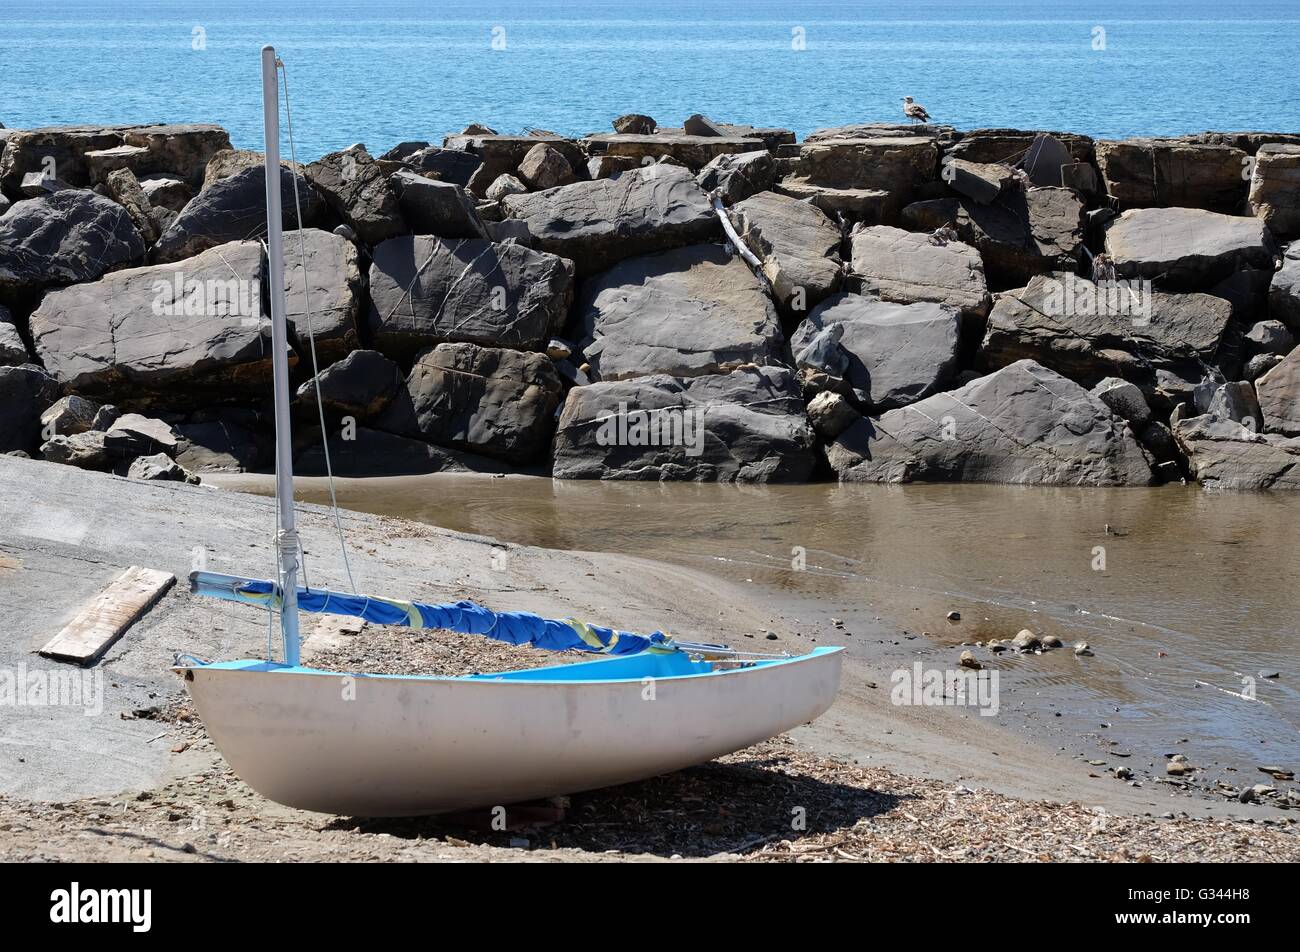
column 287, row 539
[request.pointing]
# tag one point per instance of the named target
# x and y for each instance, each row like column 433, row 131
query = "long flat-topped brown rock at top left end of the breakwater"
column 183, row 150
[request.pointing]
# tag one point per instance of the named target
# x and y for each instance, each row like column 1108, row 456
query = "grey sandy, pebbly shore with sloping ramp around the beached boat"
column 141, row 781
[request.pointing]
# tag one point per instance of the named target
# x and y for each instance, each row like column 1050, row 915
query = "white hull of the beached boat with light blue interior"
column 393, row 746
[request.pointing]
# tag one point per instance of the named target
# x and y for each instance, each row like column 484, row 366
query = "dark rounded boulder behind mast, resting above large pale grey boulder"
column 235, row 210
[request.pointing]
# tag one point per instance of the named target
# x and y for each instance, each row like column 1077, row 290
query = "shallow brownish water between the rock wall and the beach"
column 1199, row 592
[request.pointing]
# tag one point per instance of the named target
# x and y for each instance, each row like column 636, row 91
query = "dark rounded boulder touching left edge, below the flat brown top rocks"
column 71, row 236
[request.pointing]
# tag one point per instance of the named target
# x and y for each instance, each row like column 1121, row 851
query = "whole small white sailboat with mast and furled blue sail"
column 388, row 746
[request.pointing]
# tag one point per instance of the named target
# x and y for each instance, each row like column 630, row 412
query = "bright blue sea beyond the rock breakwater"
column 387, row 71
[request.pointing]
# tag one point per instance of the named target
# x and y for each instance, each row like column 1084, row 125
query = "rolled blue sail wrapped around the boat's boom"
column 513, row 628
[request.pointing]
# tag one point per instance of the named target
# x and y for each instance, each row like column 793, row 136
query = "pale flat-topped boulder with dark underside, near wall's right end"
column 1186, row 248
